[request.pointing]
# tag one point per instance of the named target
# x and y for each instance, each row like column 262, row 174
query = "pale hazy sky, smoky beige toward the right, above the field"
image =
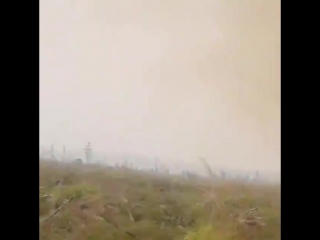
column 168, row 78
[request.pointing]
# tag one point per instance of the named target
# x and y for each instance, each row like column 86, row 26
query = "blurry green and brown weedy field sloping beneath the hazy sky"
column 82, row 202
